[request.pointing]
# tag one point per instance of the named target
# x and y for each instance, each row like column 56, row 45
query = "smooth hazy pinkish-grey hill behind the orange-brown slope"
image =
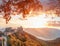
column 44, row 33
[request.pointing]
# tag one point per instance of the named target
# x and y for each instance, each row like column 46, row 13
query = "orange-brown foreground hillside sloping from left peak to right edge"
column 22, row 38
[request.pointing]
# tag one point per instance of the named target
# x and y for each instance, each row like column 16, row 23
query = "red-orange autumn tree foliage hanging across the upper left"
column 18, row 6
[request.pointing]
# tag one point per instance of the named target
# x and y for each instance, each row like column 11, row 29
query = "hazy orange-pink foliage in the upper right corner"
column 54, row 6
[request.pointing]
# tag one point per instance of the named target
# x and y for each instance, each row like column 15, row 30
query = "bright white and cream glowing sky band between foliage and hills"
column 32, row 20
